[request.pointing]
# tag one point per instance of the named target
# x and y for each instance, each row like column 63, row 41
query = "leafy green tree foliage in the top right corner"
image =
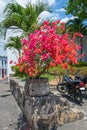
column 77, row 8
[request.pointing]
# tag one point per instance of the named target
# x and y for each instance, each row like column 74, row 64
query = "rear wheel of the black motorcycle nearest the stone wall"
column 77, row 96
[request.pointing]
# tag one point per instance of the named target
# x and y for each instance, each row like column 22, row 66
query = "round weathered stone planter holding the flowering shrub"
column 37, row 86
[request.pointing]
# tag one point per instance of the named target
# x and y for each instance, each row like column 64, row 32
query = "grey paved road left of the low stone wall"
column 11, row 117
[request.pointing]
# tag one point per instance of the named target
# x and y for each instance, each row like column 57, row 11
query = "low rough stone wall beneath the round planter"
column 44, row 112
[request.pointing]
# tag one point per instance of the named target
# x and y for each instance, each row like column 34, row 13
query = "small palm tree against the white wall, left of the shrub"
column 14, row 42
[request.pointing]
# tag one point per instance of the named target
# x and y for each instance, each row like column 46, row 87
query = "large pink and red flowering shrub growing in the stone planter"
column 48, row 47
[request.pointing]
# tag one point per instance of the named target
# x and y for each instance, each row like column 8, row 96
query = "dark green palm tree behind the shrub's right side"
column 77, row 25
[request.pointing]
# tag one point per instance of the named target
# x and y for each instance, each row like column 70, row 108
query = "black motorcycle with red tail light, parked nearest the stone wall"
column 72, row 87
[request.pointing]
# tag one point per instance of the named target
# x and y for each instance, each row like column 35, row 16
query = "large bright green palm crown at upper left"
column 20, row 17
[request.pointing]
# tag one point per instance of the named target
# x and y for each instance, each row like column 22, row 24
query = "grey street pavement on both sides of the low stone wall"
column 11, row 117
